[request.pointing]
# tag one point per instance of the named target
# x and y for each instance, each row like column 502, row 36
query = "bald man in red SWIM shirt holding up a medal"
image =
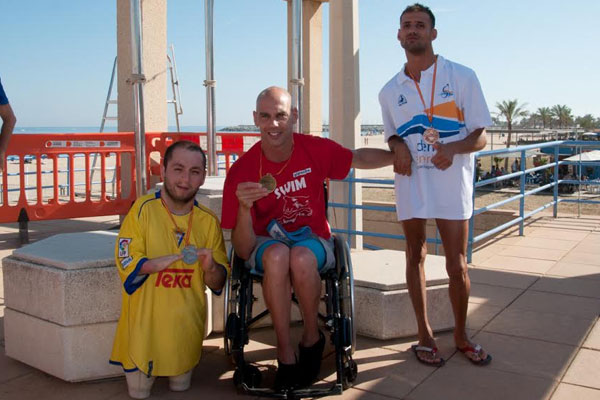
column 274, row 201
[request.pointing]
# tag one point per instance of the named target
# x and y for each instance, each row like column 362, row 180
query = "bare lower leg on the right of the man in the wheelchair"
column 307, row 286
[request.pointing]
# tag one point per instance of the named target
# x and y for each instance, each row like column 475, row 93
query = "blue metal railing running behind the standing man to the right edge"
column 523, row 175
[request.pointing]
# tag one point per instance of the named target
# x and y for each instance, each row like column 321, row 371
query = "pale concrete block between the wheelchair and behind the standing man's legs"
column 383, row 307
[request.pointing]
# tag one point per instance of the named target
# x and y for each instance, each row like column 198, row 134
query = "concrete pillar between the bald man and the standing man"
column 344, row 100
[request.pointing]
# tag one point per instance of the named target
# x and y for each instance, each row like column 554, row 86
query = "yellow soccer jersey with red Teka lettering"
column 161, row 327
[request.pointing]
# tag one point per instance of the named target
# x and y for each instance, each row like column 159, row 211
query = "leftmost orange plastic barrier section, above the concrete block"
column 34, row 151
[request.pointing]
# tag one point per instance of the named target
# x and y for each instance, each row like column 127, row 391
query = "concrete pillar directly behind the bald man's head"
column 312, row 63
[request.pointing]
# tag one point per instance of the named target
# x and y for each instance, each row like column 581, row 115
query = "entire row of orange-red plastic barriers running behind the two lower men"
column 55, row 176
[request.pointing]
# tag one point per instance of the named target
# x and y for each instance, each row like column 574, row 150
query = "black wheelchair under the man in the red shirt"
column 338, row 320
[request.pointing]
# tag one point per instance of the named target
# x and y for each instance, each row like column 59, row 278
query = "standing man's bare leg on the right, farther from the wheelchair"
column 454, row 234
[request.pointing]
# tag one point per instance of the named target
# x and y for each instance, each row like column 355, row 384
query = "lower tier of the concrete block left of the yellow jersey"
column 75, row 353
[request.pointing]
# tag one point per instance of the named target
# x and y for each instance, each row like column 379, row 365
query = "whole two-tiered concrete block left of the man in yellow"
column 63, row 299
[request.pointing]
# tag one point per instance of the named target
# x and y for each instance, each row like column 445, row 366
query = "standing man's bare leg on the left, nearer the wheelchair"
column 416, row 251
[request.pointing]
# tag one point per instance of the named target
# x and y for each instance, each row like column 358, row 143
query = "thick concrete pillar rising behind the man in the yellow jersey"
column 154, row 48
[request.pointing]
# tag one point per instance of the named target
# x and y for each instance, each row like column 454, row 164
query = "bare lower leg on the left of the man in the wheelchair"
column 278, row 293
